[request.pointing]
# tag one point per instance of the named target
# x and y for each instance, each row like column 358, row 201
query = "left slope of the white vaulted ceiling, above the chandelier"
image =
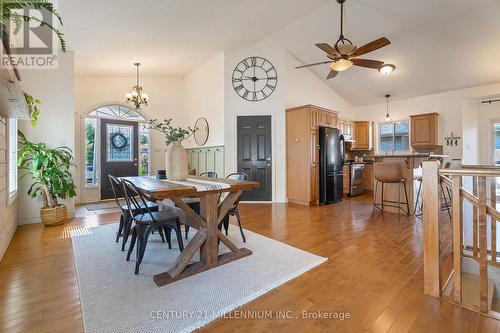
column 169, row 37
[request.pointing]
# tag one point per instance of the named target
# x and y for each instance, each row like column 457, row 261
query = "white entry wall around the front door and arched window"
column 166, row 101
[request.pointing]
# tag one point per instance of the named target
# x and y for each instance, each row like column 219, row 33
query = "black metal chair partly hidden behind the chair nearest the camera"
column 125, row 220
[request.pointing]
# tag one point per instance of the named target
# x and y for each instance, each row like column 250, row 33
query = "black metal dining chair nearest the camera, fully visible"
column 147, row 221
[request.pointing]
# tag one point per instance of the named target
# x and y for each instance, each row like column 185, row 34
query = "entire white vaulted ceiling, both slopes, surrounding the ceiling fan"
column 437, row 45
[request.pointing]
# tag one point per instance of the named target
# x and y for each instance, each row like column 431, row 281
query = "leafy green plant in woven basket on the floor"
column 52, row 179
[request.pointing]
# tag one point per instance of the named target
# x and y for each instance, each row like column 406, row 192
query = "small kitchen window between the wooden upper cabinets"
column 394, row 136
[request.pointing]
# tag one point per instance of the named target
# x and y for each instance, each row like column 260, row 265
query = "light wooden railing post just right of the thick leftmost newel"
column 457, row 207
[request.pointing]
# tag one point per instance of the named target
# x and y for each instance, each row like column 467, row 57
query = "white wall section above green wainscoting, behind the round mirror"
column 204, row 97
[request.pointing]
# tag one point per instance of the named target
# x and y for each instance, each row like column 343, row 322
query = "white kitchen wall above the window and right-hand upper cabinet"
column 450, row 106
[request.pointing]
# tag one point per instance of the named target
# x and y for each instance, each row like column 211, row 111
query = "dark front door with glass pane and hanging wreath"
column 119, row 152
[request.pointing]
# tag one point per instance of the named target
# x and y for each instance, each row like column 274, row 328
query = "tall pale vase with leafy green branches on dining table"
column 175, row 156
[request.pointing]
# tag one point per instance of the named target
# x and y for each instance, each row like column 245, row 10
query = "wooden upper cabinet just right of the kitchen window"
column 424, row 130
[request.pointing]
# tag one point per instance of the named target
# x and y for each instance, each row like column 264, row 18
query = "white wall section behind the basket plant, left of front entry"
column 55, row 89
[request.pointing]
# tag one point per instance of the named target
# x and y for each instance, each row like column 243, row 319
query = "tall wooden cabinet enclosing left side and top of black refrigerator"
column 303, row 151
